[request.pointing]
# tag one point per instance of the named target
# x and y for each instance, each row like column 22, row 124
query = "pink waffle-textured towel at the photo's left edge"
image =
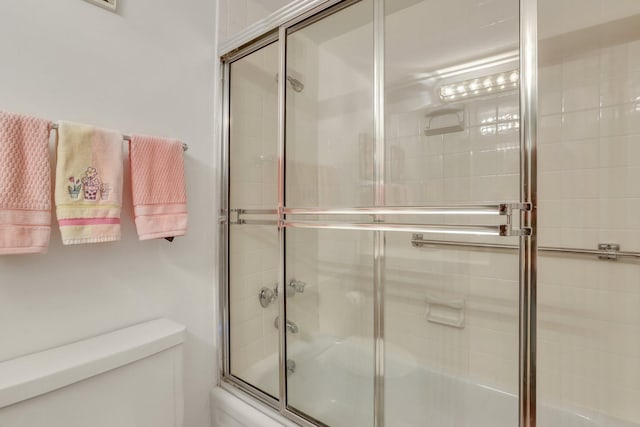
column 25, row 185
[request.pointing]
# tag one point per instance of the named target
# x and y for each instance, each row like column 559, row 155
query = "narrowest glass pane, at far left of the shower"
column 253, row 245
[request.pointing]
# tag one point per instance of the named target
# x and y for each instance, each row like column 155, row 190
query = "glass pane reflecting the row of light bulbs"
column 452, row 137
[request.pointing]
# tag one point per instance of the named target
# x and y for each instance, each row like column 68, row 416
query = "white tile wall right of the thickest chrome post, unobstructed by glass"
column 588, row 157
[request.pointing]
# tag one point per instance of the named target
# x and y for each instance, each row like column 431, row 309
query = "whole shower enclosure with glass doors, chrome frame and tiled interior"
column 379, row 261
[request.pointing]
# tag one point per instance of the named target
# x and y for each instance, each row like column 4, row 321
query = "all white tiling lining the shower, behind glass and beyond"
column 589, row 181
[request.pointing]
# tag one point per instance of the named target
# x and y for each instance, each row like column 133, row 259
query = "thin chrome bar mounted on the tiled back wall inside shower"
column 605, row 251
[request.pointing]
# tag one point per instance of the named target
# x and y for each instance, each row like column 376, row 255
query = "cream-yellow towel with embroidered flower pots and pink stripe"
column 88, row 190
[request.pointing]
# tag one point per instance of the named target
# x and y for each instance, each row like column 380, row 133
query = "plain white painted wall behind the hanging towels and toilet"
column 148, row 68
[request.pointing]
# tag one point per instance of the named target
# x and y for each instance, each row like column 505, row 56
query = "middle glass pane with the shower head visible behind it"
column 329, row 163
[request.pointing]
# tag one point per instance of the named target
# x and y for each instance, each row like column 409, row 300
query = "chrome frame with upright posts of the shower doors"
column 274, row 29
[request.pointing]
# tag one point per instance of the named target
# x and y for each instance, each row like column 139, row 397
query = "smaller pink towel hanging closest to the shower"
column 158, row 187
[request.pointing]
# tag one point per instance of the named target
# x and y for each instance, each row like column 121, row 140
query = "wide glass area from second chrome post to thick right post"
column 402, row 261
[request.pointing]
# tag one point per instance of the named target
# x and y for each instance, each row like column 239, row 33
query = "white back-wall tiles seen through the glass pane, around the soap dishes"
column 477, row 164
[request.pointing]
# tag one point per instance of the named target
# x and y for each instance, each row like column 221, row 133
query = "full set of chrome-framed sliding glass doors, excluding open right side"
column 381, row 279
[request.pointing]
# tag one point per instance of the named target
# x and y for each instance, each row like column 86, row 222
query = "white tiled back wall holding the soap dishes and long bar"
column 588, row 194
